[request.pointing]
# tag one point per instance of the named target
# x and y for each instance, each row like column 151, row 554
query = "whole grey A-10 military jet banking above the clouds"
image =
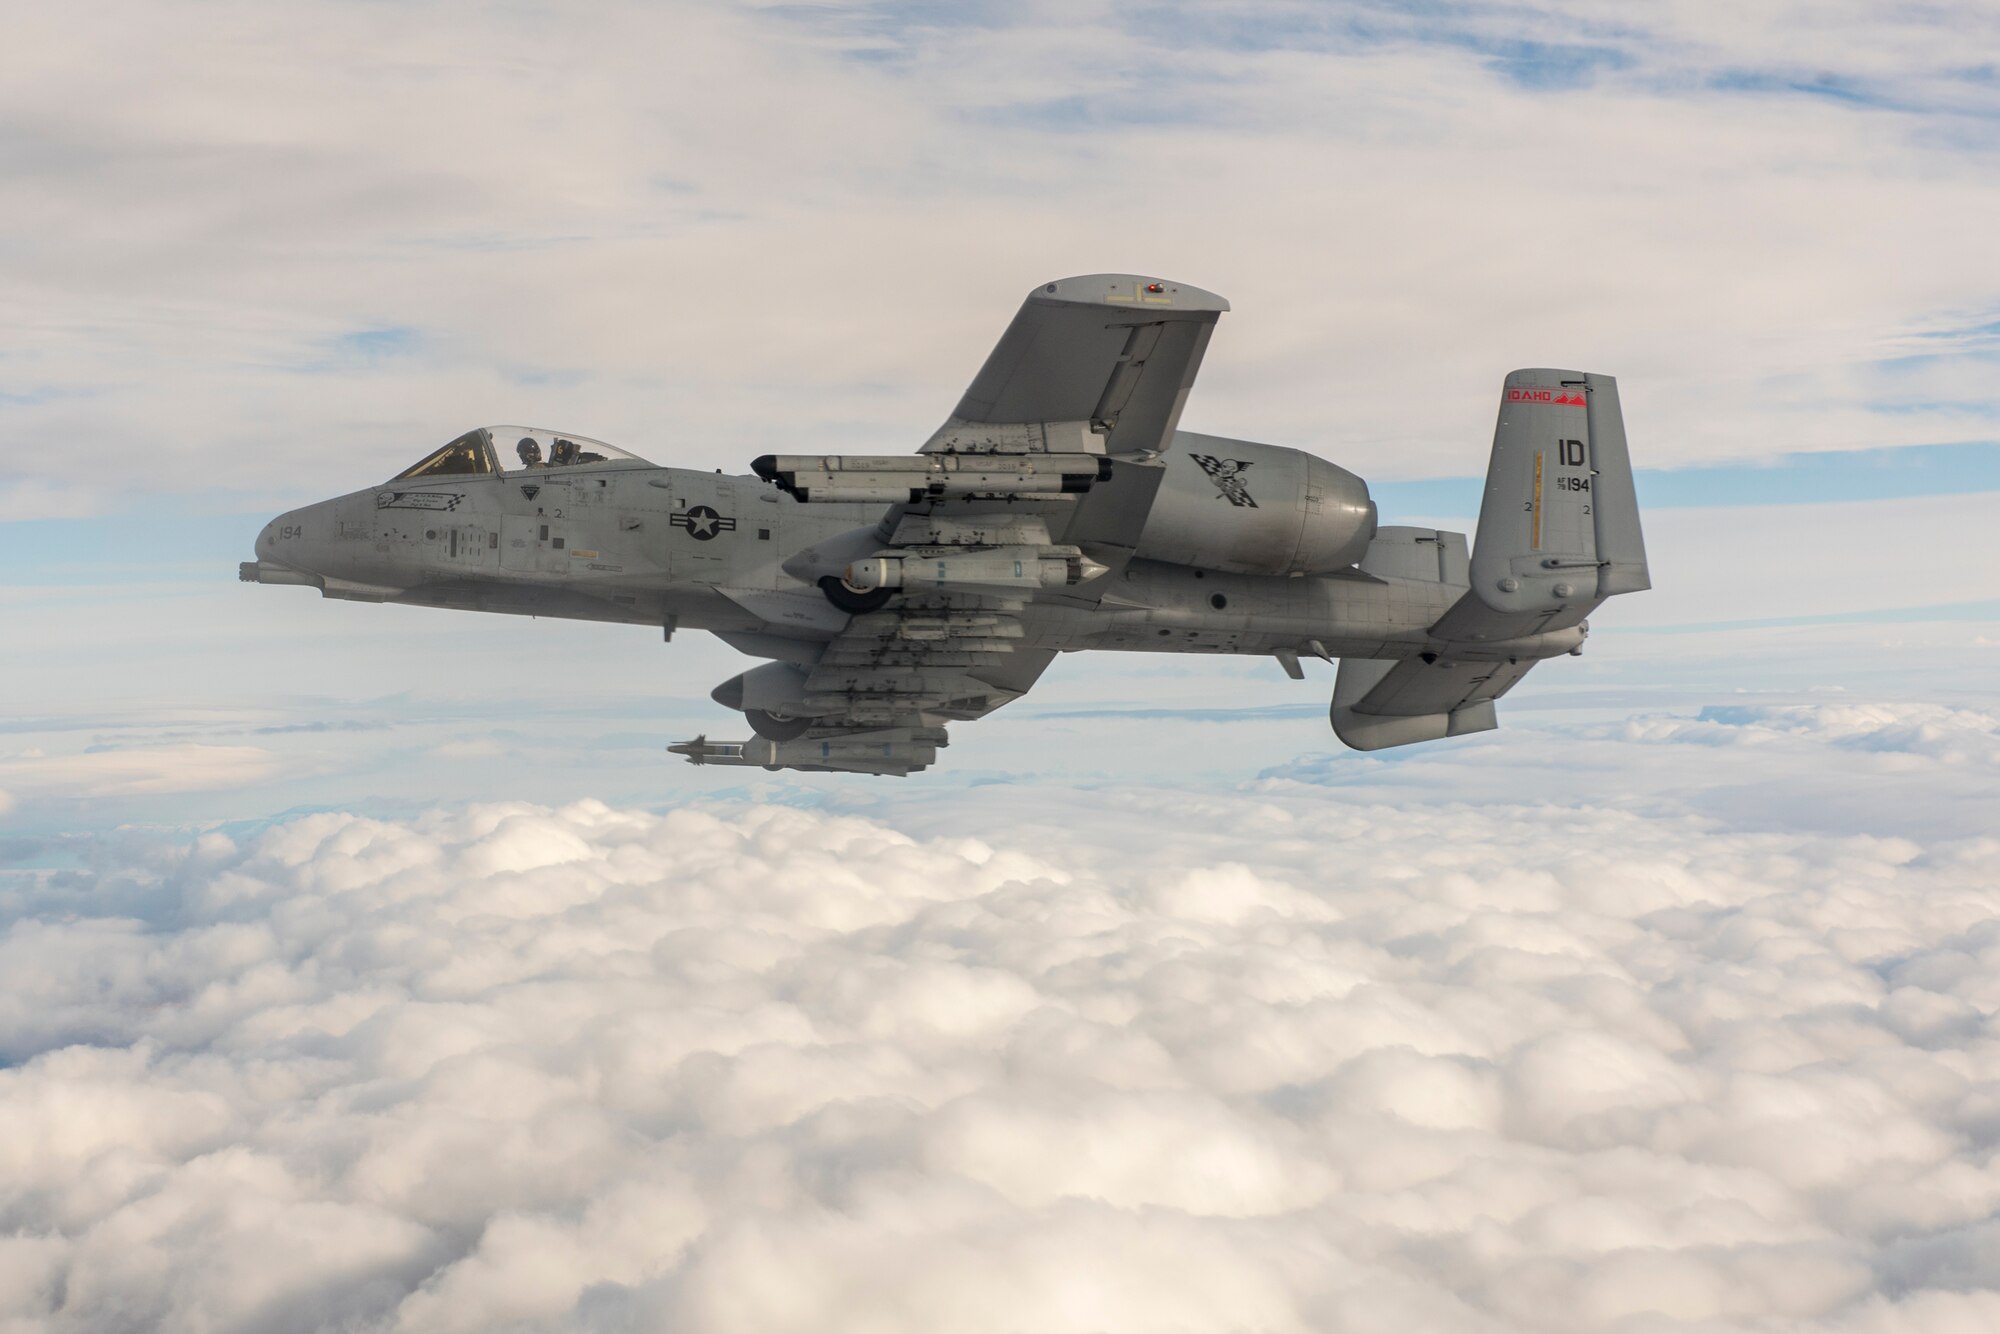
column 1057, row 509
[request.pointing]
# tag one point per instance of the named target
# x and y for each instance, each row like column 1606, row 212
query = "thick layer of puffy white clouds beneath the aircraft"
column 1281, row 1059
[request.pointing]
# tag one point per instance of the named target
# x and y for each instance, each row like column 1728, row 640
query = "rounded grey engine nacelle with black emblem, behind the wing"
column 1257, row 509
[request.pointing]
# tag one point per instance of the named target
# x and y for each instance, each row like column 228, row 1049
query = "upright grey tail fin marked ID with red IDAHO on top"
column 1559, row 525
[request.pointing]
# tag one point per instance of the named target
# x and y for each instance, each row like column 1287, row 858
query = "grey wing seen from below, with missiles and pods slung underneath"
column 1031, row 495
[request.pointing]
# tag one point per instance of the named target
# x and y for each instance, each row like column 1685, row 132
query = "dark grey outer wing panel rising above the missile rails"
column 1109, row 357
